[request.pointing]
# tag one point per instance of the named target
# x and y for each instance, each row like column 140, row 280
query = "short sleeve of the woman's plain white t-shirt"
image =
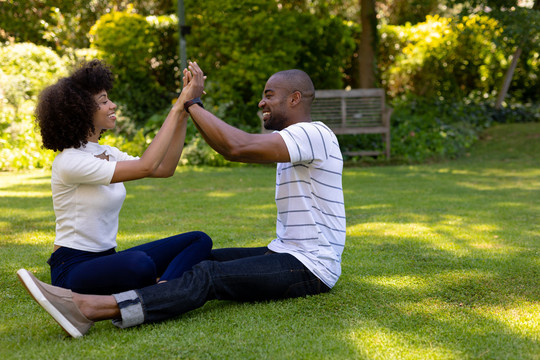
column 84, row 168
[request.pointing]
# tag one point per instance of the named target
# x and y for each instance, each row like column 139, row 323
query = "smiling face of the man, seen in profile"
column 274, row 105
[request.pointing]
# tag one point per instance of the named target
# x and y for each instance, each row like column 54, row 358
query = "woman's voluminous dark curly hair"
column 65, row 110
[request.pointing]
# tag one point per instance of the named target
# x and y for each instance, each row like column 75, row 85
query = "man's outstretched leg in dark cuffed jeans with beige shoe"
column 262, row 277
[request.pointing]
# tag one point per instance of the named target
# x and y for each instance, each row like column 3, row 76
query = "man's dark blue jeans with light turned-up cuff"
column 239, row 274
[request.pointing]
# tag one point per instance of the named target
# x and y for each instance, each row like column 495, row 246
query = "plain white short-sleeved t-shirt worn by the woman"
column 85, row 202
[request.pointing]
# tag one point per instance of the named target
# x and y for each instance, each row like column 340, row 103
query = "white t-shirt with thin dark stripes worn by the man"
column 311, row 223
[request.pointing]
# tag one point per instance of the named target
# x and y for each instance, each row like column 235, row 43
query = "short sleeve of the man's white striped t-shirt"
column 307, row 142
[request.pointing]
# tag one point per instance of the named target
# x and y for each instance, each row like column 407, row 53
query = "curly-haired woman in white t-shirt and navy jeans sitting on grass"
column 88, row 191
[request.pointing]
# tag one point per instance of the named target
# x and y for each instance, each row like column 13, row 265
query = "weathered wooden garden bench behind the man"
column 352, row 112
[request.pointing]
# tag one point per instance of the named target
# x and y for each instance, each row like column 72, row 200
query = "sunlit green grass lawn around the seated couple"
column 441, row 262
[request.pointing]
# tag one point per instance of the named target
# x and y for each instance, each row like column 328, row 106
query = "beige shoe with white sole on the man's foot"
column 58, row 302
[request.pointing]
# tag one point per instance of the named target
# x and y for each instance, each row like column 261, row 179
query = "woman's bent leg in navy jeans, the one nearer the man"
column 176, row 254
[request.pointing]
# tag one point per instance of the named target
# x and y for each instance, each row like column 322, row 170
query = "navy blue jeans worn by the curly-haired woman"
column 109, row 271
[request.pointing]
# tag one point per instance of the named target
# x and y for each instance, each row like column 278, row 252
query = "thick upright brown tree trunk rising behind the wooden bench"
column 368, row 43
